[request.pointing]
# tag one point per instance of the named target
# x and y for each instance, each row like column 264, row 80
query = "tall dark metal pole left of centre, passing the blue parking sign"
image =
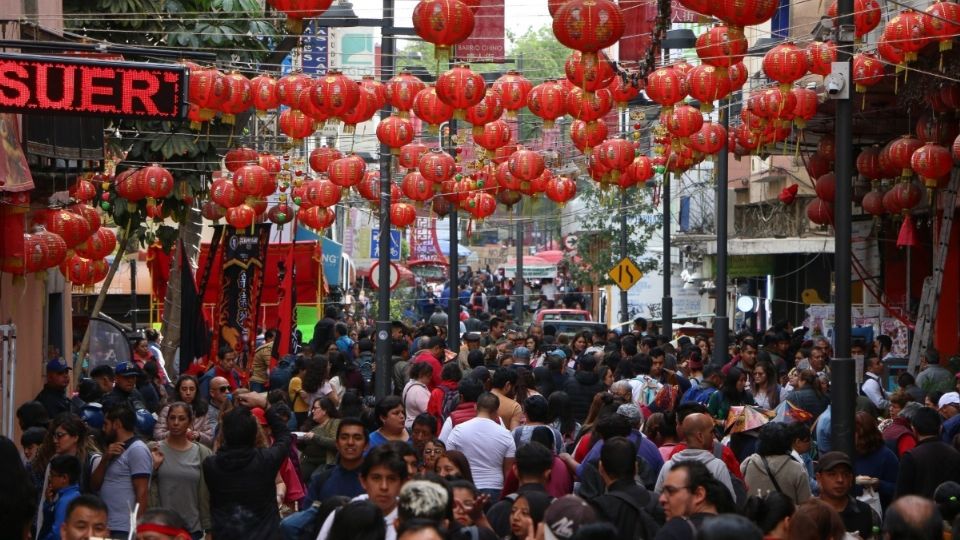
column 382, row 380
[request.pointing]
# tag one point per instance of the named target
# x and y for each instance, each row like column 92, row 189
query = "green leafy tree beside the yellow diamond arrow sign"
column 598, row 242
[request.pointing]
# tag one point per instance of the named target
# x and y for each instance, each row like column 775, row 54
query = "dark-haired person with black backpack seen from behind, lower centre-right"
column 628, row 505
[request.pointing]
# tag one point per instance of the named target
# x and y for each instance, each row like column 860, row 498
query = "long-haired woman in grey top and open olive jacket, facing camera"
column 178, row 482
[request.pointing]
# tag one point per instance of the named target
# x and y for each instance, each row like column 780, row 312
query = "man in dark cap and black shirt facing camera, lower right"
column 835, row 477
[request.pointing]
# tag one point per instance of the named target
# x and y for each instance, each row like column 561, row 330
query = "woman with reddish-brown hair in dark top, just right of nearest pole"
column 874, row 459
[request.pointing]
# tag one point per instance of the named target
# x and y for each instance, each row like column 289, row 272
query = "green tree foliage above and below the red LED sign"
column 234, row 30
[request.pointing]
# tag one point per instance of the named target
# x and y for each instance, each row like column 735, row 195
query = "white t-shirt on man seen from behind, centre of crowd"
column 485, row 443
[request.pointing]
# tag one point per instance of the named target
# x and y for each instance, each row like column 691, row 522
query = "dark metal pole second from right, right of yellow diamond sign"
column 721, row 324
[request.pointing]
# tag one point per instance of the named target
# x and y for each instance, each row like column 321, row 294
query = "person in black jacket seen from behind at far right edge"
column 931, row 461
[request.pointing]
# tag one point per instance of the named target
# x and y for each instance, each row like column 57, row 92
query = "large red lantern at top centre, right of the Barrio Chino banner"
column 588, row 25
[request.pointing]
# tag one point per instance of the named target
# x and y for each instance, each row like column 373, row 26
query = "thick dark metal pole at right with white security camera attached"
column 842, row 390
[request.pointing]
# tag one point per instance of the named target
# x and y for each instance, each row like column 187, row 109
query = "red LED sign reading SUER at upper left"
column 90, row 87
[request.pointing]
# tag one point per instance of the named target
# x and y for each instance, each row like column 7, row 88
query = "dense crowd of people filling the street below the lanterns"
column 522, row 434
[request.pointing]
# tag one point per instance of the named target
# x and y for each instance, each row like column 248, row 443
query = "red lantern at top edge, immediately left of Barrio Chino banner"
column 443, row 23
